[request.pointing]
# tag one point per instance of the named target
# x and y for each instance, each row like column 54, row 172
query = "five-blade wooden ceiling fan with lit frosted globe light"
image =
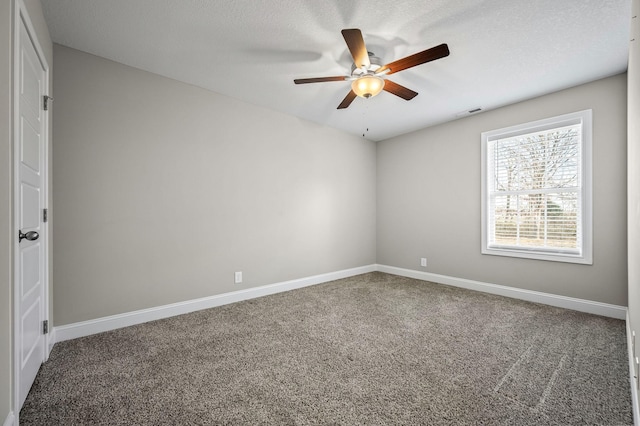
column 367, row 70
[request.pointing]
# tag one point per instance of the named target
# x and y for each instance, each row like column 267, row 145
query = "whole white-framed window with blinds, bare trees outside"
column 536, row 190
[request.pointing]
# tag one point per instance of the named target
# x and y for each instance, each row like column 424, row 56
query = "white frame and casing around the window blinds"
column 585, row 252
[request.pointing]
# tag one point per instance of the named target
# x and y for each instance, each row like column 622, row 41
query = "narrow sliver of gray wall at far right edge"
column 634, row 174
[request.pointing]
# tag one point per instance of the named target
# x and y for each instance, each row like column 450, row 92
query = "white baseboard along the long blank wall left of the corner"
column 99, row 325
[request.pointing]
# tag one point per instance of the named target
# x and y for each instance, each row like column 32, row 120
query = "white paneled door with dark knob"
column 31, row 135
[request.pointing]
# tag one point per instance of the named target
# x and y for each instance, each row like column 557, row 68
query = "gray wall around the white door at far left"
column 7, row 233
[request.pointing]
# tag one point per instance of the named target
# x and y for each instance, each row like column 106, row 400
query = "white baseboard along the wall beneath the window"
column 603, row 309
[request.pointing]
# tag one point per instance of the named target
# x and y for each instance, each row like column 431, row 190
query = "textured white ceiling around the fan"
column 502, row 51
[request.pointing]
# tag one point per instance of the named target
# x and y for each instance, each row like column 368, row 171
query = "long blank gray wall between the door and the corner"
column 163, row 190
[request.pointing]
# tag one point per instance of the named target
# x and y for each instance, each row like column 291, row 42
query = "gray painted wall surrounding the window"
column 429, row 198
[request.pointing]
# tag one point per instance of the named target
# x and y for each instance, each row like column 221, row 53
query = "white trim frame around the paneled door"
column 21, row 15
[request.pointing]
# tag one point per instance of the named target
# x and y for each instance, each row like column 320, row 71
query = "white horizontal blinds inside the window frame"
column 534, row 189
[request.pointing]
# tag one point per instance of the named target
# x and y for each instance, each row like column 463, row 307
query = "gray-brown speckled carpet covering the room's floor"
column 374, row 349
